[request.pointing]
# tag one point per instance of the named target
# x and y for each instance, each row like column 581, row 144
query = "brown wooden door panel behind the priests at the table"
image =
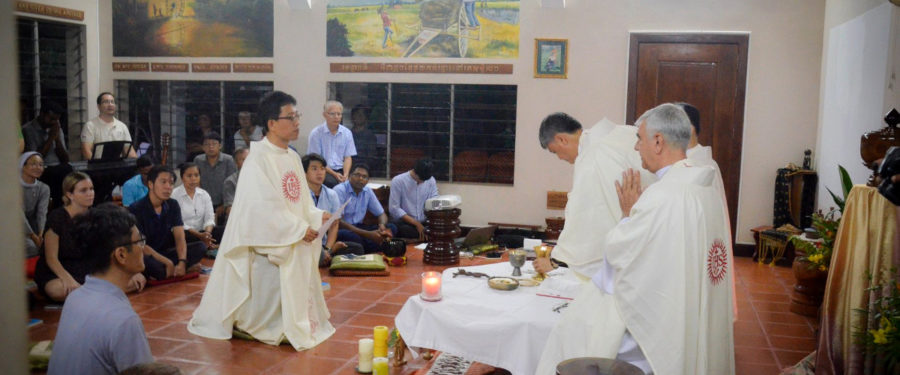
column 708, row 71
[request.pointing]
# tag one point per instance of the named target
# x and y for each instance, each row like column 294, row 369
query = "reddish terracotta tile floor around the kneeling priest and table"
column 767, row 336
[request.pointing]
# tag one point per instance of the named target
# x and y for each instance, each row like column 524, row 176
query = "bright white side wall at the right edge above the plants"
column 859, row 85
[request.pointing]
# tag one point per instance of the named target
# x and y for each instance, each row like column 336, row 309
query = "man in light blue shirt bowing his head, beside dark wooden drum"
column 409, row 191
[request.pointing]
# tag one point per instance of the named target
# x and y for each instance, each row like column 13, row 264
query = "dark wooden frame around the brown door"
column 742, row 41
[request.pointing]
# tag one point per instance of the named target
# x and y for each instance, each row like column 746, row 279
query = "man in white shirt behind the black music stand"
column 104, row 128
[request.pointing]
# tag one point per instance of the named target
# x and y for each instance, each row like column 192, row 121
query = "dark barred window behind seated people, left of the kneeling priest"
column 173, row 110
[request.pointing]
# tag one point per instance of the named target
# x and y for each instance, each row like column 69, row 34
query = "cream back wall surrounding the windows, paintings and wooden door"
column 781, row 102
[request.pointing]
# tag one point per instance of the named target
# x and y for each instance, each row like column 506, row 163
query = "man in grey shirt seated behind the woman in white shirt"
column 215, row 166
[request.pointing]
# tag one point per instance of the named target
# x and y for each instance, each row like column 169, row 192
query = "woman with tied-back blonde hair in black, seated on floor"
column 61, row 268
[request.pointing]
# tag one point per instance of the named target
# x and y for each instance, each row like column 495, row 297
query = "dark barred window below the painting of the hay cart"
column 469, row 131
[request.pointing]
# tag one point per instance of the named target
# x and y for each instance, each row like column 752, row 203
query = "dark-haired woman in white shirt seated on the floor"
column 196, row 207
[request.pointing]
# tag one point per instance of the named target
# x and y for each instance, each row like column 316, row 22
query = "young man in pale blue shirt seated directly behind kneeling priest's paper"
column 326, row 200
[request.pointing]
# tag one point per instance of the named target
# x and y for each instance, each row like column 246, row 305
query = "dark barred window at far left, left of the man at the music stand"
column 51, row 61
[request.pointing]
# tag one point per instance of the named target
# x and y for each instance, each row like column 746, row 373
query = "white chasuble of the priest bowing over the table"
column 604, row 152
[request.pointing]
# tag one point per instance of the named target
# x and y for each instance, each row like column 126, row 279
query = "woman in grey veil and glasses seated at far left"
column 35, row 199
